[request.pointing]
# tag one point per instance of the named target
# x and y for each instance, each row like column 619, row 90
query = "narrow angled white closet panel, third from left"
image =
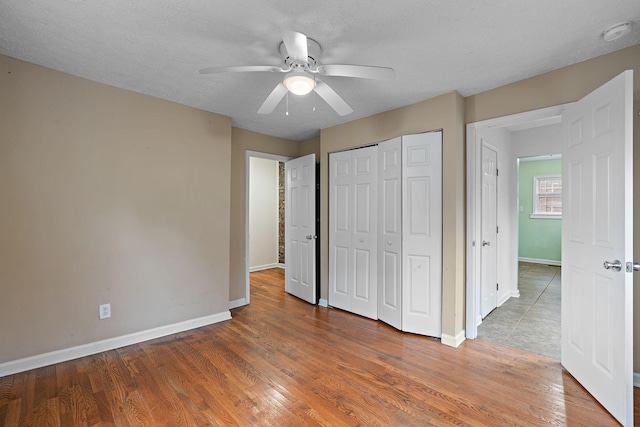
column 390, row 232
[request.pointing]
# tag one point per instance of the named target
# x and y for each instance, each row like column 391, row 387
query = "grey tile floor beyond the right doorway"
column 532, row 321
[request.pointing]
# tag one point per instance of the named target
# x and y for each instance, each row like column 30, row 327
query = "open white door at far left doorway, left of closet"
column 300, row 228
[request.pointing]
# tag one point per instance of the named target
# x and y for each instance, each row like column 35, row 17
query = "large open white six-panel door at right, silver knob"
column 597, row 312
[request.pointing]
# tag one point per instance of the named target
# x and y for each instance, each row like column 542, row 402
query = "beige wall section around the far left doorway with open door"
column 243, row 140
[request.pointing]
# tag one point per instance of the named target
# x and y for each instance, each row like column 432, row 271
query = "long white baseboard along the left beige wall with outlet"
column 58, row 356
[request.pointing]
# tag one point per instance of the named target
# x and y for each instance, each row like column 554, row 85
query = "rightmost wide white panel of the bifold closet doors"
column 422, row 233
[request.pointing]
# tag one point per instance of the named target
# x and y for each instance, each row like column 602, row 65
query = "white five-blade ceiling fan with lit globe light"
column 300, row 64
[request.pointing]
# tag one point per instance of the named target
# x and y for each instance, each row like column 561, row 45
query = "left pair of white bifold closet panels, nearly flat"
column 353, row 232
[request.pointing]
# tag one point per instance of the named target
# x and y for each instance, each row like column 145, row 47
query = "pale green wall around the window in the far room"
column 537, row 238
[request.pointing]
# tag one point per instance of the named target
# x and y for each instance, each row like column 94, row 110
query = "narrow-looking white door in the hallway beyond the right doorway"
column 488, row 224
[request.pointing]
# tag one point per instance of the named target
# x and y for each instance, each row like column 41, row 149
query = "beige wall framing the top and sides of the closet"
column 444, row 112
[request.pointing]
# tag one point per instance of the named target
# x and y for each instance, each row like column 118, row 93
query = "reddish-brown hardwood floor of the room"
column 283, row 362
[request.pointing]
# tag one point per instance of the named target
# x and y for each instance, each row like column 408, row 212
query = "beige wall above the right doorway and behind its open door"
column 563, row 86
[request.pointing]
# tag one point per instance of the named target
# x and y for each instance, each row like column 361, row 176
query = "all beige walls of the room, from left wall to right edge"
column 111, row 196
